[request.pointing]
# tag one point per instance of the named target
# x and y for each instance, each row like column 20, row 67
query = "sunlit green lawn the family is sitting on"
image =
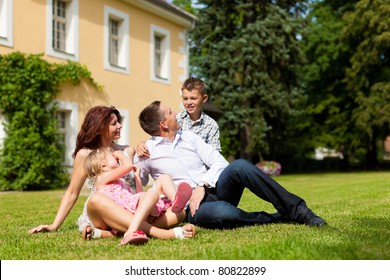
column 355, row 205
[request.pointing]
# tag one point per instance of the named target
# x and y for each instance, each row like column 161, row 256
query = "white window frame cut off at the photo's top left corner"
column 6, row 23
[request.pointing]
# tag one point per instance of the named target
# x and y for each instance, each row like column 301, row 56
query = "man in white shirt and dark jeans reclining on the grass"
column 217, row 185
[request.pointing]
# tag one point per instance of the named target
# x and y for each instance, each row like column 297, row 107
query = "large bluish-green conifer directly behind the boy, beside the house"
column 248, row 53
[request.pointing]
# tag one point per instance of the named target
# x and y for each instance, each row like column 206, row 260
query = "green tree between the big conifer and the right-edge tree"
column 328, row 104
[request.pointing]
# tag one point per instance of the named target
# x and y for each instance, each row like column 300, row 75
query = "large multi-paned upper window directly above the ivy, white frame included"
column 62, row 29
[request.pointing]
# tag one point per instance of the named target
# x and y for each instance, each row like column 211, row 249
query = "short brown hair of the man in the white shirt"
column 150, row 118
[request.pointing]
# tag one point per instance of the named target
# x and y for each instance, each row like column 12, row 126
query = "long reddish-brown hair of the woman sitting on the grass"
column 96, row 121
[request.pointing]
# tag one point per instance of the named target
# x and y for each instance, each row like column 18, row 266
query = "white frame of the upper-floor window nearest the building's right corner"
column 165, row 76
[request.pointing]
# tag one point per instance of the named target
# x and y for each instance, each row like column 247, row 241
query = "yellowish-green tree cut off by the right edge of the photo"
column 367, row 29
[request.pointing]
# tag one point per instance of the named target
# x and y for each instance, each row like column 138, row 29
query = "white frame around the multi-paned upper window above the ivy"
column 72, row 33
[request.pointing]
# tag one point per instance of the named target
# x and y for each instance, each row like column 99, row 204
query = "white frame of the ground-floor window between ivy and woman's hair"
column 71, row 128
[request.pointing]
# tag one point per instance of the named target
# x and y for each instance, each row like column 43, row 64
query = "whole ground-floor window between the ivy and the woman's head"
column 67, row 115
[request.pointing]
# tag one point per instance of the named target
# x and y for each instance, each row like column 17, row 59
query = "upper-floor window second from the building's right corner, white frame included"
column 116, row 40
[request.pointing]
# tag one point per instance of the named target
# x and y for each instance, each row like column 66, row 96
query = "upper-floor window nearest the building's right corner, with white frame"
column 160, row 54
